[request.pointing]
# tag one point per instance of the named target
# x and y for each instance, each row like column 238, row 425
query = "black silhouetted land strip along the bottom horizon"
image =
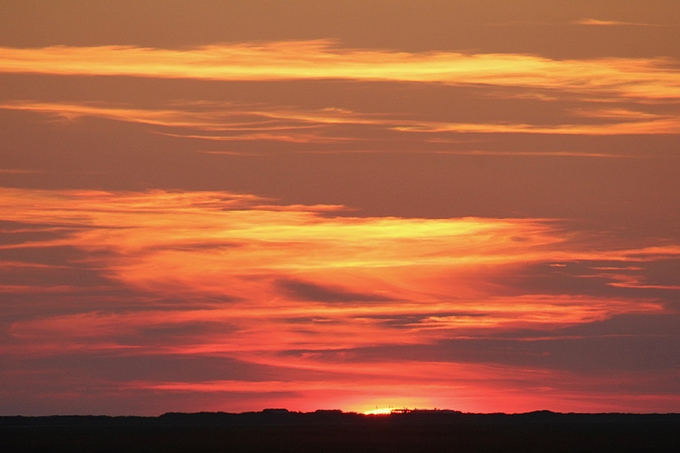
column 278, row 430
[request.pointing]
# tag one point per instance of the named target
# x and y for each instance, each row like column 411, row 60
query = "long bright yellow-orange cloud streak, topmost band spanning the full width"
column 298, row 60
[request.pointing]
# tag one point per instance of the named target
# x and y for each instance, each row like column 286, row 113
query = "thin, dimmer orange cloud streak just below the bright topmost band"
column 230, row 122
